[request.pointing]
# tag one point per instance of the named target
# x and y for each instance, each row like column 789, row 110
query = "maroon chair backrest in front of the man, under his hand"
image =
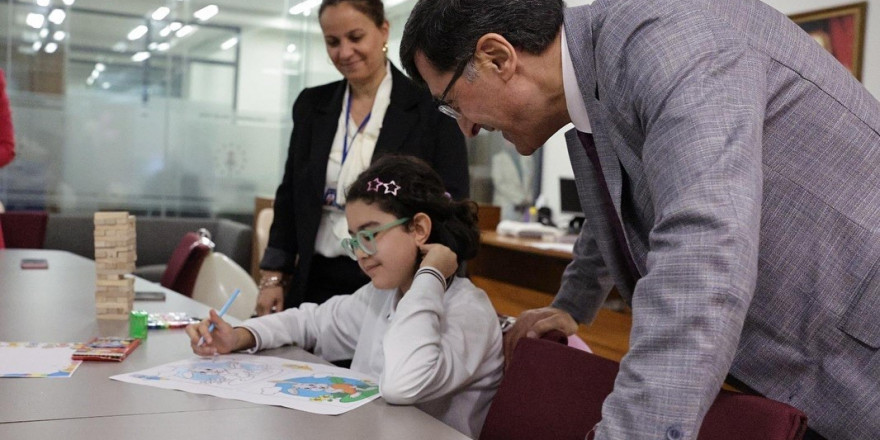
column 554, row 391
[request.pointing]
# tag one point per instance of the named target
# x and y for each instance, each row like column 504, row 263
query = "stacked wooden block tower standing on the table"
column 115, row 254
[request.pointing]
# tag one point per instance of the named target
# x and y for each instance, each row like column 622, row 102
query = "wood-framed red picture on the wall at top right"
column 840, row 30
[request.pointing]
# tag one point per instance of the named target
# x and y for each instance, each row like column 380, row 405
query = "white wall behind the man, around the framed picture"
column 556, row 161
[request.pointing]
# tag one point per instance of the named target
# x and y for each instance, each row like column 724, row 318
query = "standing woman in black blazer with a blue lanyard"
column 335, row 126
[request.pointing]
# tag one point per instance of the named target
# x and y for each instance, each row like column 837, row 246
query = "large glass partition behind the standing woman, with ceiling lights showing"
column 163, row 107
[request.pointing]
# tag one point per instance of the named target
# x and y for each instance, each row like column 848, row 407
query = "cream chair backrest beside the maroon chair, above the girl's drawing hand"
column 218, row 278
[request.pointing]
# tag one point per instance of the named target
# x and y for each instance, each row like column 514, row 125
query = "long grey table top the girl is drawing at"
column 57, row 305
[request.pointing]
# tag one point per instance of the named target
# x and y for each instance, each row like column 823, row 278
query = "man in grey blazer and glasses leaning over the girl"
column 731, row 186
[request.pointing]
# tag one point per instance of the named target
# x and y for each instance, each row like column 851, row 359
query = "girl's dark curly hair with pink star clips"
column 454, row 223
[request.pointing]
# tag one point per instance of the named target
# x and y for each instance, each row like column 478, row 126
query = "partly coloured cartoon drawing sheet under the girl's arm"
column 322, row 389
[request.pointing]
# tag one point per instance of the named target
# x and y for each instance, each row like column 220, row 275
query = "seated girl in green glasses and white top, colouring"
column 432, row 339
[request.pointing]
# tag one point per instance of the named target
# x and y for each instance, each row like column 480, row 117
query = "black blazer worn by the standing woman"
column 412, row 126
